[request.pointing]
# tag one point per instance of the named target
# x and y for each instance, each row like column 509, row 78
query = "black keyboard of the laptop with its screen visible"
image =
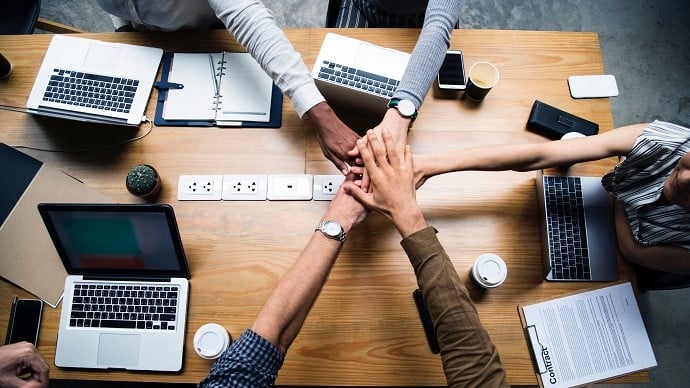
column 128, row 306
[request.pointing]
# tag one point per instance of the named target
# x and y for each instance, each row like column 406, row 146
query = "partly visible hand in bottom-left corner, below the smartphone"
column 17, row 360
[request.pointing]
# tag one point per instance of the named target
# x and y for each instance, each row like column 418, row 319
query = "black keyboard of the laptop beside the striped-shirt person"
column 566, row 228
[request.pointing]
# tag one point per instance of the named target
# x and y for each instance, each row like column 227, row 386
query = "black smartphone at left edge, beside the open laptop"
column 25, row 320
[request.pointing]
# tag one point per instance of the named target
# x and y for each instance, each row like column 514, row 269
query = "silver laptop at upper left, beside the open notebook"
column 94, row 81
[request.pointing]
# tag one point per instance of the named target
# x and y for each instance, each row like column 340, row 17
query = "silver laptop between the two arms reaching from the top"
column 358, row 75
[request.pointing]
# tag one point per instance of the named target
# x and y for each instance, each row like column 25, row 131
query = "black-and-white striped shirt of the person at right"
column 638, row 182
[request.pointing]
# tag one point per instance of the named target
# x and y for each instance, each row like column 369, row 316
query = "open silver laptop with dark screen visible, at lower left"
column 125, row 300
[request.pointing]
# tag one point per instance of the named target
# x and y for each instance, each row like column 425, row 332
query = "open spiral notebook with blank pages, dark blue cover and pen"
column 216, row 89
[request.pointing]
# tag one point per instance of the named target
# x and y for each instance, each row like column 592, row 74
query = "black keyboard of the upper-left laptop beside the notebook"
column 110, row 94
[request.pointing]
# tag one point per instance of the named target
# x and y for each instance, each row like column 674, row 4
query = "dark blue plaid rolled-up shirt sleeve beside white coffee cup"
column 251, row 361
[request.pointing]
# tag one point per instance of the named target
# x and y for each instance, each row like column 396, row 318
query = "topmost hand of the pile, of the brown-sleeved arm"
column 392, row 192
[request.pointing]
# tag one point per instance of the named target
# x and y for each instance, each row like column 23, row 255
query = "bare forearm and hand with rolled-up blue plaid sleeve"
column 256, row 357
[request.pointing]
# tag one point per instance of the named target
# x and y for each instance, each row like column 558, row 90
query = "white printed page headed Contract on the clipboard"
column 587, row 337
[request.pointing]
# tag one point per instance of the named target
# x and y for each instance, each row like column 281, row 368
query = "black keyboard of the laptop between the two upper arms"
column 358, row 79
